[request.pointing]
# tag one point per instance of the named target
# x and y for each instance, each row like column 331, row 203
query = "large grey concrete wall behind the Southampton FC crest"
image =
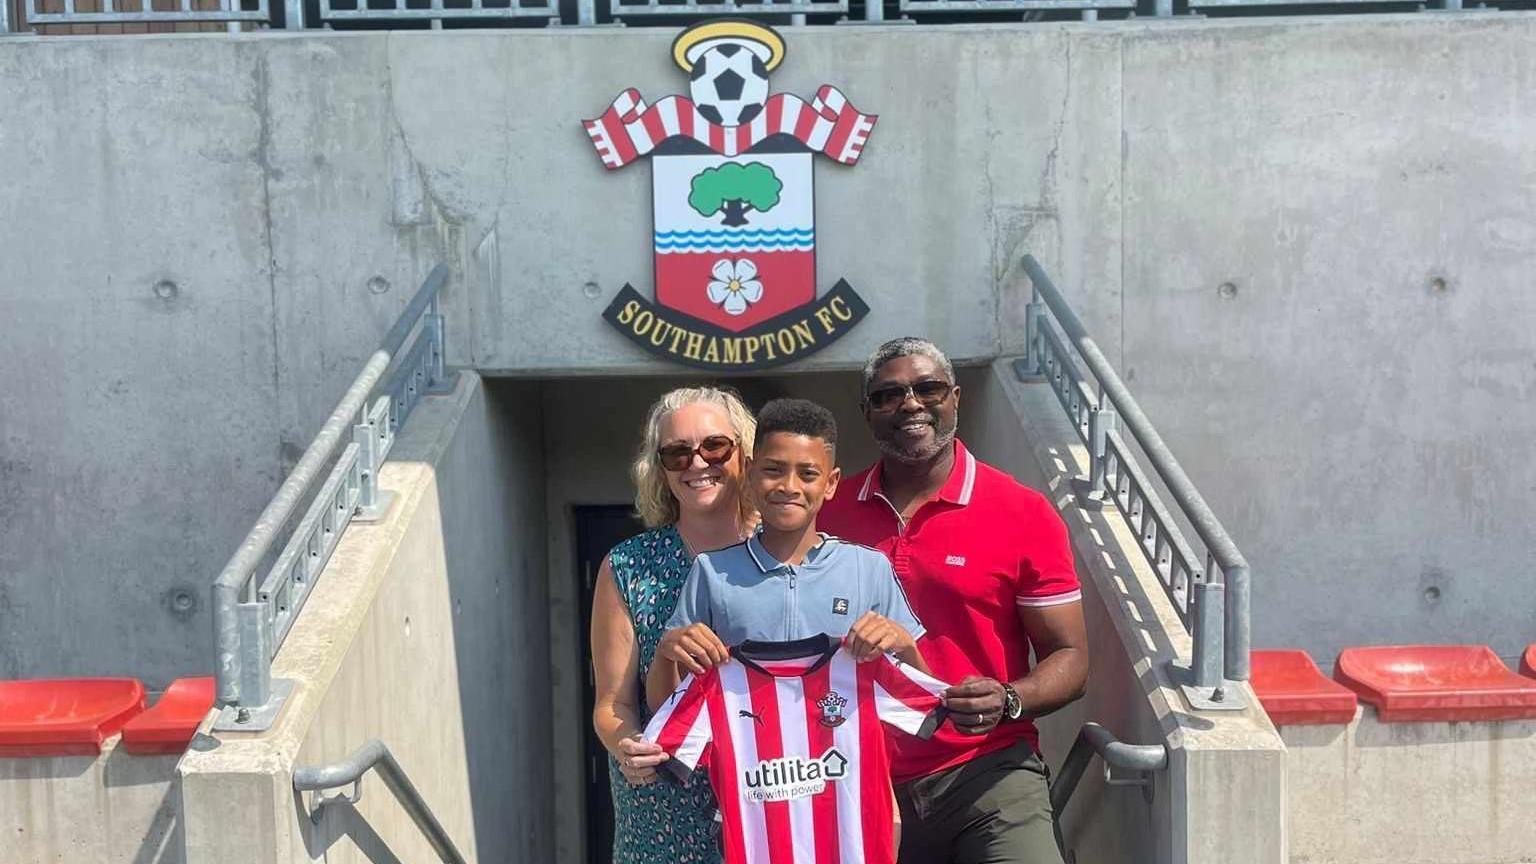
column 1317, row 225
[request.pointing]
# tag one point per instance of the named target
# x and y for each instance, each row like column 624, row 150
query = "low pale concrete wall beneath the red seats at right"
column 1379, row 793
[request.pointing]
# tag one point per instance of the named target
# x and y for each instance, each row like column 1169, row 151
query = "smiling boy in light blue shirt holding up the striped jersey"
column 787, row 582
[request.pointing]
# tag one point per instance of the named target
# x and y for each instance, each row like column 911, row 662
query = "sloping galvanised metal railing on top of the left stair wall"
column 251, row 616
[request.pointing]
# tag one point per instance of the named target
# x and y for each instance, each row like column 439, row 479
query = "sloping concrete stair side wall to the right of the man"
column 1223, row 794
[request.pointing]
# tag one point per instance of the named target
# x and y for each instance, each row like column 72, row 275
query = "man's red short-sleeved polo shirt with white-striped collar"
column 968, row 560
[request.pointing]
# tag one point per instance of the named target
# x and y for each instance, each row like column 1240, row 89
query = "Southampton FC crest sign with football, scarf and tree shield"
column 733, row 204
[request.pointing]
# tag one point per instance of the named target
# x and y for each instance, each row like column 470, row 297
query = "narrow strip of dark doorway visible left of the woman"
column 598, row 530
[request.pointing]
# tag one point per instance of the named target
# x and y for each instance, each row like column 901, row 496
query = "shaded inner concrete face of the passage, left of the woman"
column 491, row 491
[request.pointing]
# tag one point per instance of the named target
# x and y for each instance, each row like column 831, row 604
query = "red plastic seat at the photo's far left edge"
column 68, row 717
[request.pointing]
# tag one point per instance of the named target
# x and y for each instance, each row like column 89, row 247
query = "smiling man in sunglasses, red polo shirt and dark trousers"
column 988, row 570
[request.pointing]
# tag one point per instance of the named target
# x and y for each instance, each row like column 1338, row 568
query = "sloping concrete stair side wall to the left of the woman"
column 428, row 631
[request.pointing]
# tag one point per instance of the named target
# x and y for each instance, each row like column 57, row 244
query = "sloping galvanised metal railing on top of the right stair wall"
column 1211, row 596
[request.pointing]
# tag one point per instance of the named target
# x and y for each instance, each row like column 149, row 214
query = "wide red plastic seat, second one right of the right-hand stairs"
column 1437, row 683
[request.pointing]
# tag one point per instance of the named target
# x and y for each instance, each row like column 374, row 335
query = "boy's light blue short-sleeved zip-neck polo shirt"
column 743, row 593
